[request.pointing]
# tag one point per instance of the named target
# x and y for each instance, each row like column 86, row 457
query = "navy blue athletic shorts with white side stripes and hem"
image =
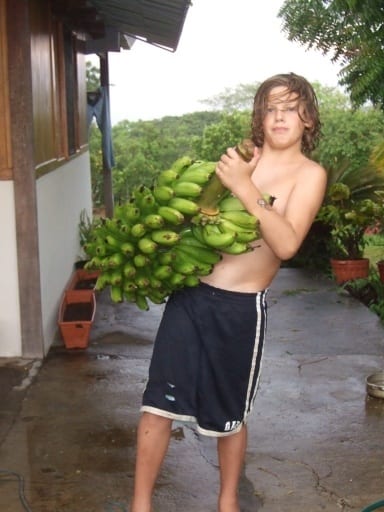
column 206, row 359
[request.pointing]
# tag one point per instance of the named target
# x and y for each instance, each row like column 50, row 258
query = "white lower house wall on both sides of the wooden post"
column 61, row 196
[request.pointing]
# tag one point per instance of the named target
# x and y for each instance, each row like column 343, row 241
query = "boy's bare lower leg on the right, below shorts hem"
column 231, row 451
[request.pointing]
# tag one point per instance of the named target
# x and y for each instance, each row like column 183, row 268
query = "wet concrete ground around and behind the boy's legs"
column 316, row 442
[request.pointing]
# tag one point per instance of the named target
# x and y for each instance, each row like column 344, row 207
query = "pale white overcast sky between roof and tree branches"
column 223, row 43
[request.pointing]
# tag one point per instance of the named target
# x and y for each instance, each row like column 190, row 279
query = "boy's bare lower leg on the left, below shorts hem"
column 153, row 436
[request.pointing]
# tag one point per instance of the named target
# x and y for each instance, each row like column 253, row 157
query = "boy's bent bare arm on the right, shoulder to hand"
column 283, row 233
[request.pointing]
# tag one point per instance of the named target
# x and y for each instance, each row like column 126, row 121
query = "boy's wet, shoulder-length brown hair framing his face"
column 306, row 97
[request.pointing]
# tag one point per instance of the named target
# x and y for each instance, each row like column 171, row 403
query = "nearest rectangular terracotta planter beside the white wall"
column 76, row 316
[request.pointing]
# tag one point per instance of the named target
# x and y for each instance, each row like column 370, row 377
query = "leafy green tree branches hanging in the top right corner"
column 352, row 32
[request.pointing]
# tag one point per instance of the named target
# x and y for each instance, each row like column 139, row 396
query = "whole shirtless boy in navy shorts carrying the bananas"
column 207, row 355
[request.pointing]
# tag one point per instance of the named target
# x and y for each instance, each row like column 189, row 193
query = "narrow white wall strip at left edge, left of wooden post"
column 10, row 334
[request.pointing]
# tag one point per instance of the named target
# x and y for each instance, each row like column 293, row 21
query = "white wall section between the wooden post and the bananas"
column 61, row 196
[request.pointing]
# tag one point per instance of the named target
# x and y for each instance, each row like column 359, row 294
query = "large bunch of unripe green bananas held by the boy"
column 165, row 237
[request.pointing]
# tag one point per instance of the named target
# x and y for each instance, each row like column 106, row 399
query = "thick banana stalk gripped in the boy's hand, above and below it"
column 214, row 191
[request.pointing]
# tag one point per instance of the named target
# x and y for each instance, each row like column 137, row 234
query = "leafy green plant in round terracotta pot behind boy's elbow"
column 348, row 219
